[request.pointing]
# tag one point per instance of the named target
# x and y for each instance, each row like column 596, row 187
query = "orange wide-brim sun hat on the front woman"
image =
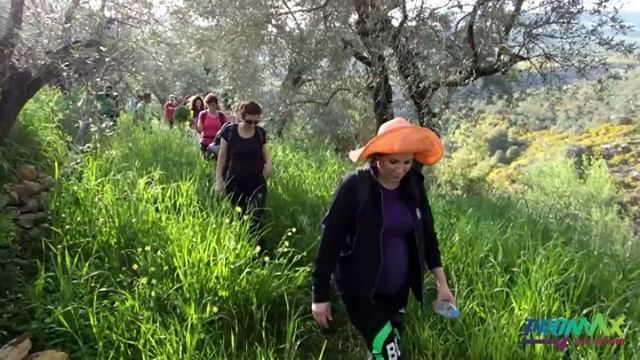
column 399, row 136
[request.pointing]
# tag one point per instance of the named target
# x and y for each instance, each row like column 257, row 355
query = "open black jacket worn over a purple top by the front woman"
column 351, row 243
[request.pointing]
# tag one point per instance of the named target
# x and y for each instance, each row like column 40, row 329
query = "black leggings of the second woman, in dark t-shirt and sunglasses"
column 250, row 194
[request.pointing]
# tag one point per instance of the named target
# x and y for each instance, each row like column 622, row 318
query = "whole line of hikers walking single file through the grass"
column 378, row 236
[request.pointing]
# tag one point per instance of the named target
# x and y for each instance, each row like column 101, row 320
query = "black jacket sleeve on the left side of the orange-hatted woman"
column 336, row 225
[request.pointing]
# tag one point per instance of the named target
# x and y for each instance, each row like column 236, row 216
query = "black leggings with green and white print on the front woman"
column 380, row 323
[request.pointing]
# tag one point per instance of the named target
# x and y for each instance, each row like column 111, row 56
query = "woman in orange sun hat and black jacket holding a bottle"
column 379, row 231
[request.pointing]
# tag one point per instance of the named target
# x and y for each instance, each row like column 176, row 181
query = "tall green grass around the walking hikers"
column 147, row 262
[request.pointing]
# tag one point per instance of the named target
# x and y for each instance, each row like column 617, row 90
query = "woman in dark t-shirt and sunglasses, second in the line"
column 244, row 164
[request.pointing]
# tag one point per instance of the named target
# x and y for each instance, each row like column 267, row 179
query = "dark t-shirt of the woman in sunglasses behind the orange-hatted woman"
column 245, row 156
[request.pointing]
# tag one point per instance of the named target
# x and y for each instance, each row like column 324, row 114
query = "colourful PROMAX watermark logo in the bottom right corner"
column 597, row 331
